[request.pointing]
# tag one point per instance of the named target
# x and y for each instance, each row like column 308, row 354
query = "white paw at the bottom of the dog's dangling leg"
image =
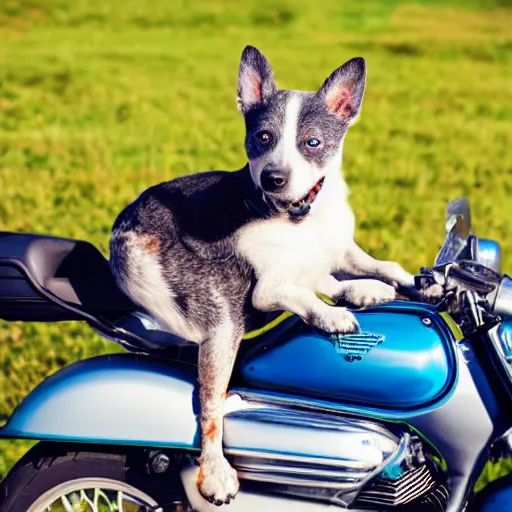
column 217, row 480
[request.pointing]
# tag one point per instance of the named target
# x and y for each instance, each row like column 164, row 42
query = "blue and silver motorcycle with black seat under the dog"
column 401, row 416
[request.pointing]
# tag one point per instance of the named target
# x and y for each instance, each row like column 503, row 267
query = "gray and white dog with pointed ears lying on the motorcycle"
column 203, row 253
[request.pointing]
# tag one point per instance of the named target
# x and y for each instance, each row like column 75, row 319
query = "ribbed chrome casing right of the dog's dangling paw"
column 304, row 453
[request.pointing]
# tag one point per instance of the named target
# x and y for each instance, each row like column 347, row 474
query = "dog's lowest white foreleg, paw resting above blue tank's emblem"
column 273, row 295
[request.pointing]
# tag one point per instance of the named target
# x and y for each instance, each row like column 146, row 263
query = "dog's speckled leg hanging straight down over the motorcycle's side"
column 216, row 480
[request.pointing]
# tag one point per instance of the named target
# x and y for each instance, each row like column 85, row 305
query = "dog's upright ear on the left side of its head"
column 255, row 79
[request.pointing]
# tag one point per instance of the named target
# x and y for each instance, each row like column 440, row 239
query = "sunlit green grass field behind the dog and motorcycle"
column 102, row 98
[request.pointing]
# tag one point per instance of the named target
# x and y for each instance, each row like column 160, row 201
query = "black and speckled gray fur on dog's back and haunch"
column 194, row 219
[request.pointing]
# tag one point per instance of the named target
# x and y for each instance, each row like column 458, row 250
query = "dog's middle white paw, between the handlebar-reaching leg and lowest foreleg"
column 359, row 292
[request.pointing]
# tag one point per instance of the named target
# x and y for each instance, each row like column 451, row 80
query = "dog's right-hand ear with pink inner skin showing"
column 343, row 90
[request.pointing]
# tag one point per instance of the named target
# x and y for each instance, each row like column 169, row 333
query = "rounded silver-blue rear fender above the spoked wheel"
column 115, row 399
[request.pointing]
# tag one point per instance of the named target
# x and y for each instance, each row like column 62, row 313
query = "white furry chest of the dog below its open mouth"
column 300, row 253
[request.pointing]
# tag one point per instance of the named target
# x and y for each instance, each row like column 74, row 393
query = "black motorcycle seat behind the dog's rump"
column 52, row 279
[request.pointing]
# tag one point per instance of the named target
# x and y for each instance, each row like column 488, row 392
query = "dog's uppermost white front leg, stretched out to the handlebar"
column 357, row 263
